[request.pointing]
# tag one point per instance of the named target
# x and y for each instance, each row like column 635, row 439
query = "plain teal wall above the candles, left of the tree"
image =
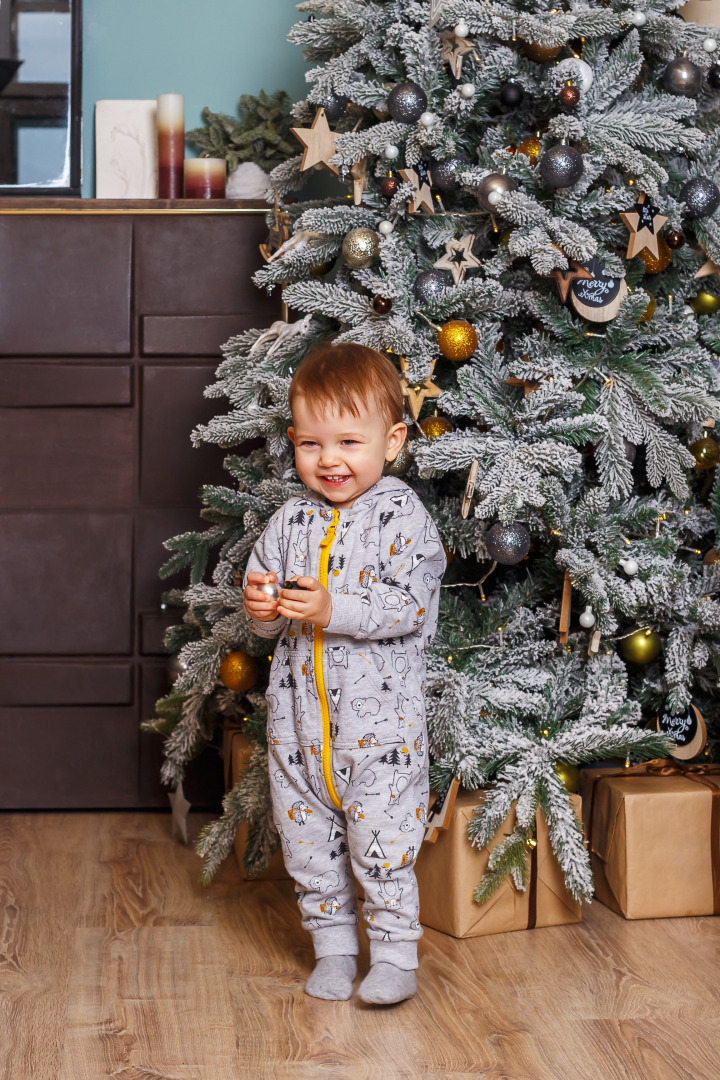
column 212, row 51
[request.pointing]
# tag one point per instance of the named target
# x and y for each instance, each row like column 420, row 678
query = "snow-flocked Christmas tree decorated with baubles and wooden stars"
column 525, row 222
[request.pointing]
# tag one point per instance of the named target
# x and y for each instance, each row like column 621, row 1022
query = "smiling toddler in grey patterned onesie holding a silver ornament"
column 347, row 735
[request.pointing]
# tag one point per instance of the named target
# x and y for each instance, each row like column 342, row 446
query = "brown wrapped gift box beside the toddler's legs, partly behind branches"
column 450, row 869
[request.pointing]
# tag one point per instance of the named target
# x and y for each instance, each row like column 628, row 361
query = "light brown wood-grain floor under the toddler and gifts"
column 116, row 963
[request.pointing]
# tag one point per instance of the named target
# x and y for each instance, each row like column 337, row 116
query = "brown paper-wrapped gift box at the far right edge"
column 654, row 832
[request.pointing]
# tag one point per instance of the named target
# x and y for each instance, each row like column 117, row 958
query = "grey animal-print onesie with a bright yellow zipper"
column 347, row 733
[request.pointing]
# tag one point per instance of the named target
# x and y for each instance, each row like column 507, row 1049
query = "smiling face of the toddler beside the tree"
column 342, row 456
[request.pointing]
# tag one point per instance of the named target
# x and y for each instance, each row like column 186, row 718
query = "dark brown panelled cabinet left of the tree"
column 111, row 328
